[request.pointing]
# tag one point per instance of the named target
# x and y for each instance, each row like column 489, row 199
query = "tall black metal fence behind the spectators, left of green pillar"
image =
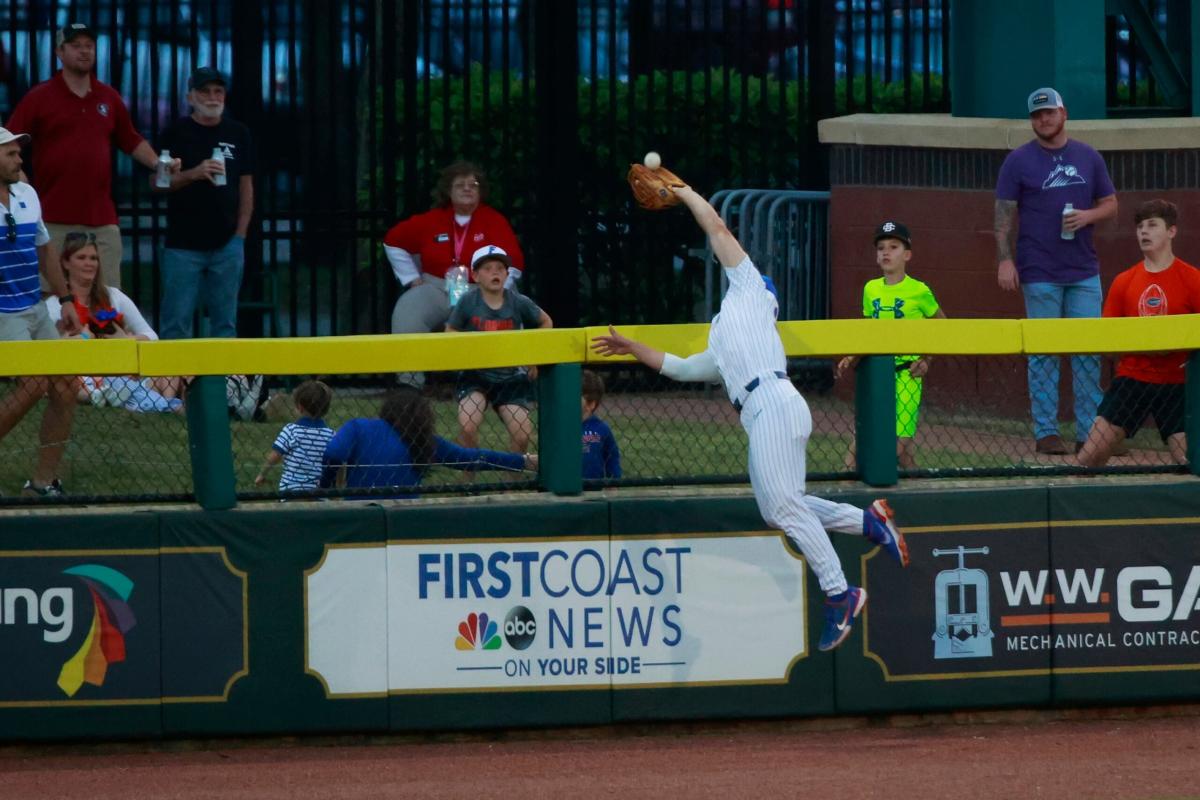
column 357, row 105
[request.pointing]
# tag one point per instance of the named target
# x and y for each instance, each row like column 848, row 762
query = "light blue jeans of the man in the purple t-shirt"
column 1064, row 302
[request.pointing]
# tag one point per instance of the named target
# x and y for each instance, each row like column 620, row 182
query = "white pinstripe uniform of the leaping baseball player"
column 745, row 350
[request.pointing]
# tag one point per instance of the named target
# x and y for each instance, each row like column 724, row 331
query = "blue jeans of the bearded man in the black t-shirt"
column 190, row 274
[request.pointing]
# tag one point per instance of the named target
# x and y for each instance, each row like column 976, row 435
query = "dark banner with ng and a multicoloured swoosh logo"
column 89, row 628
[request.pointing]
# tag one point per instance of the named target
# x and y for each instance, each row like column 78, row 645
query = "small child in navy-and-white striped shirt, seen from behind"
column 302, row 444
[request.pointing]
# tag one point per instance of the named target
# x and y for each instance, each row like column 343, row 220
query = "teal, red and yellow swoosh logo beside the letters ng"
column 111, row 619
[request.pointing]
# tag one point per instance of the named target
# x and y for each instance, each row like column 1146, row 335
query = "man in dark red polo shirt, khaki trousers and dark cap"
column 75, row 119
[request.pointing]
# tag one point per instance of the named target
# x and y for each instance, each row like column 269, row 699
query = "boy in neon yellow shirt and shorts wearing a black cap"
column 898, row 296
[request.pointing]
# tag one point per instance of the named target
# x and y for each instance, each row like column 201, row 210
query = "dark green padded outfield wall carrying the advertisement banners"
column 362, row 618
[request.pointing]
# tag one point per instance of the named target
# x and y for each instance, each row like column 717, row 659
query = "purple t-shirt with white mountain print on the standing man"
column 1043, row 182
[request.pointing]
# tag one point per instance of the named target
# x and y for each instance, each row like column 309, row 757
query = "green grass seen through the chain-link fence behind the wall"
column 669, row 437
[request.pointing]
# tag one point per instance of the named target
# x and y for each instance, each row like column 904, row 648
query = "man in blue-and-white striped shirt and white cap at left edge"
column 25, row 254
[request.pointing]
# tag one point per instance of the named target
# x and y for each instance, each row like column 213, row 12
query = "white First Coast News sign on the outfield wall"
column 445, row 616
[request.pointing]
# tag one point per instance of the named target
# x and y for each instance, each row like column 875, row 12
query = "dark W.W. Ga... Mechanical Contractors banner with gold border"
column 992, row 601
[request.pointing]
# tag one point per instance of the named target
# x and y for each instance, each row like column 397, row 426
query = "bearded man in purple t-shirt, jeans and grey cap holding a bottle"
column 1055, row 263
